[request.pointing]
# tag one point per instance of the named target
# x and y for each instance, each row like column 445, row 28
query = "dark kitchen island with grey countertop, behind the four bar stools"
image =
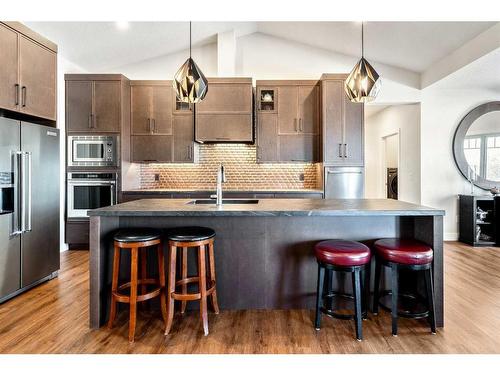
column 264, row 249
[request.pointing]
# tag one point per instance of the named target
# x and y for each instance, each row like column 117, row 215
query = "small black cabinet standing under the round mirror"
column 474, row 229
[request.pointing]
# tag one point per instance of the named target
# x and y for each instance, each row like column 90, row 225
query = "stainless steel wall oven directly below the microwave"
column 90, row 190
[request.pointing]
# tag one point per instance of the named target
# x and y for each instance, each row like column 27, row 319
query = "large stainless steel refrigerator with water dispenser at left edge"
column 29, row 205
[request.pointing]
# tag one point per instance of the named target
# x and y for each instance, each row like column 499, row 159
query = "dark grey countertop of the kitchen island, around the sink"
column 269, row 207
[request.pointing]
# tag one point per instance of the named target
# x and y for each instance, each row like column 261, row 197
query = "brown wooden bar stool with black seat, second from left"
column 199, row 238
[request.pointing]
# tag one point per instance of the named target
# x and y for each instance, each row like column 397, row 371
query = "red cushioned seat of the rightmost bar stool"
column 403, row 251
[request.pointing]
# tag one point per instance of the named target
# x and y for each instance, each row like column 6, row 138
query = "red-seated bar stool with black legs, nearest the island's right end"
column 406, row 254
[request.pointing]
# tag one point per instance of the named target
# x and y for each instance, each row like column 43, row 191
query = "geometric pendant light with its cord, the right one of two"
column 363, row 83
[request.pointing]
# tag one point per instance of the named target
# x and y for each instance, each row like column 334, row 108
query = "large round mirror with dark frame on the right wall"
column 476, row 145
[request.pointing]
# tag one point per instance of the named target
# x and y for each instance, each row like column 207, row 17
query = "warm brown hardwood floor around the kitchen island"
column 53, row 318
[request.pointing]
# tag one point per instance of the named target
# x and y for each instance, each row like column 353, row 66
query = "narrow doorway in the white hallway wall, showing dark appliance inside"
column 390, row 165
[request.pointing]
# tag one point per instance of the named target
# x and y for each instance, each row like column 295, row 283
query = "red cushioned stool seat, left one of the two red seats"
column 342, row 253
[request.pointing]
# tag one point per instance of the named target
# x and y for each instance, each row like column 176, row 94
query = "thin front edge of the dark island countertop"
column 268, row 213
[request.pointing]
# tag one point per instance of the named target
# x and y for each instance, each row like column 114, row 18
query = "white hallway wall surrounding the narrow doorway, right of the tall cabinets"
column 405, row 120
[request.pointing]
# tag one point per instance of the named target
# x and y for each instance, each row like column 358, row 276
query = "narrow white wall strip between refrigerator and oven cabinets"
column 63, row 66
